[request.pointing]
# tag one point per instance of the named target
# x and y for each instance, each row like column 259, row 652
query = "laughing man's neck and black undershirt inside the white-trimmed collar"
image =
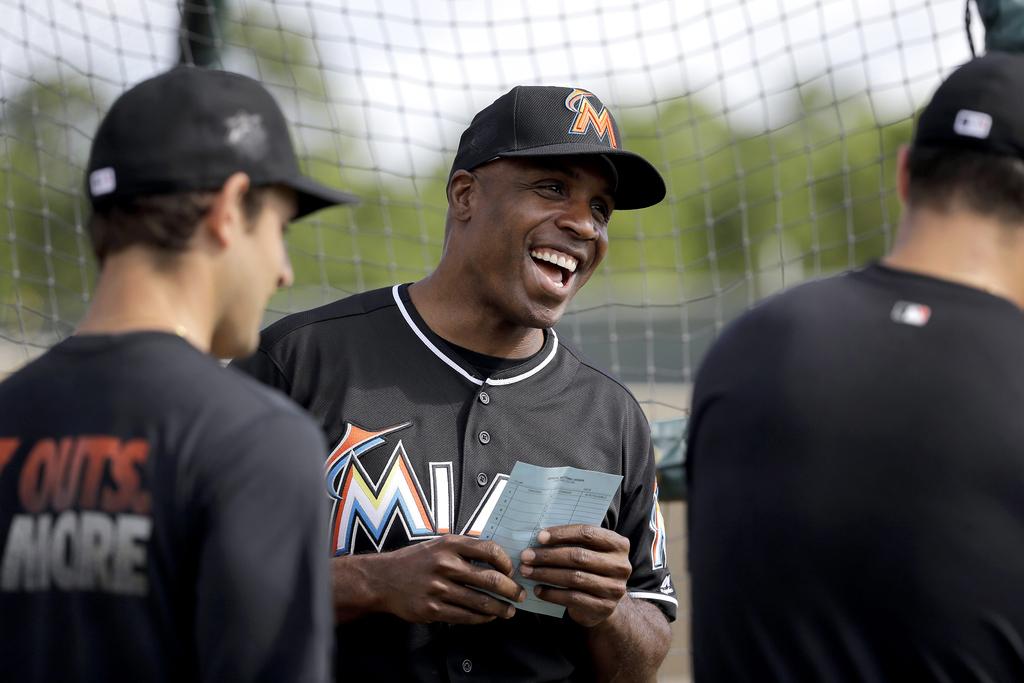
column 471, row 325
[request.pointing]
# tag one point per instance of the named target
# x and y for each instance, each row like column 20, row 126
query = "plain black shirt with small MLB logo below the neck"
column 857, row 462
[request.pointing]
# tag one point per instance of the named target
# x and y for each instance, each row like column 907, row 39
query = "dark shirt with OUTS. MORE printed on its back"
column 160, row 521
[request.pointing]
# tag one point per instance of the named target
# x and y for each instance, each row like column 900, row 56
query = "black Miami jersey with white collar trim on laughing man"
column 422, row 447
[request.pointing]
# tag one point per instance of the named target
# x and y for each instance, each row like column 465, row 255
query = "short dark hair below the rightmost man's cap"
column 990, row 185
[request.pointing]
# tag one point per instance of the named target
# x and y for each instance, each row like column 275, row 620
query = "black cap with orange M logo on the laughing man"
column 554, row 121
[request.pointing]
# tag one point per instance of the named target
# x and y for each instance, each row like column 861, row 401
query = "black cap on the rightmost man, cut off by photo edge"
column 978, row 108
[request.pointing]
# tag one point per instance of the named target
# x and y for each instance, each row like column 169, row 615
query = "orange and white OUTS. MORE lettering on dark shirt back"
column 83, row 520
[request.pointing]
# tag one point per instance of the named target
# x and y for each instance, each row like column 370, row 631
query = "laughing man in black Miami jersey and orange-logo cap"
column 433, row 392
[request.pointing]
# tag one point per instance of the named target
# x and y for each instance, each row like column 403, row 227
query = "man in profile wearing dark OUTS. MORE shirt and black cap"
column 159, row 517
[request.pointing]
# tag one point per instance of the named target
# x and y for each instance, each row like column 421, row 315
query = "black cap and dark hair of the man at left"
column 168, row 145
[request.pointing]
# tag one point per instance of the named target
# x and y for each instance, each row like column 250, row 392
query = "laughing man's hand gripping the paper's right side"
column 590, row 564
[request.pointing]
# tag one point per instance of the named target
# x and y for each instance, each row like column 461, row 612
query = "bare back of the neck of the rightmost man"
column 965, row 248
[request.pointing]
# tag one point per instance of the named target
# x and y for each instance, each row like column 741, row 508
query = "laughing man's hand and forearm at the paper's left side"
column 430, row 582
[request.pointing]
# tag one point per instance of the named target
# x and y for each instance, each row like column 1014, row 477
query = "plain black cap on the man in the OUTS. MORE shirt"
column 188, row 131
